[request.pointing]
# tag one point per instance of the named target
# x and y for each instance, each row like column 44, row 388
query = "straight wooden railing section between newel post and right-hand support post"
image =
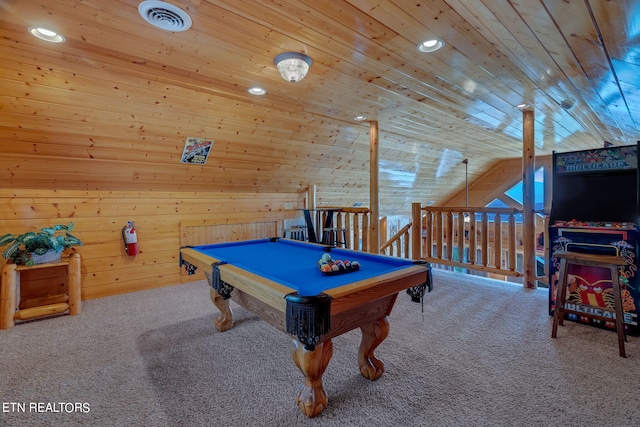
column 467, row 238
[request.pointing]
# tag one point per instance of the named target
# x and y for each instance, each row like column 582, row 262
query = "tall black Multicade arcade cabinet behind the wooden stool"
column 595, row 209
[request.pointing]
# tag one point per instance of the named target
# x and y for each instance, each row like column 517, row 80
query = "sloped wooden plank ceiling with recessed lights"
column 111, row 107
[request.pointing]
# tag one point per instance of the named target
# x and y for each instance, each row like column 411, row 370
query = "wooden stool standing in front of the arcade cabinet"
column 604, row 261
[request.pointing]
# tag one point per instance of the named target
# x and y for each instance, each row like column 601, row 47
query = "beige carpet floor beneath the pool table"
column 480, row 355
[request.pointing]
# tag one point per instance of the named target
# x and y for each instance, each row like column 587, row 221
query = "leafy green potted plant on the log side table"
column 23, row 248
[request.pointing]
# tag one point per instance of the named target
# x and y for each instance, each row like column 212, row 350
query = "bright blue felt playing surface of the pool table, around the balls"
column 295, row 264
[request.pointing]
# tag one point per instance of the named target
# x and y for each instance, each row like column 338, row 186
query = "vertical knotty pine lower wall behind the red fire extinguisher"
column 100, row 215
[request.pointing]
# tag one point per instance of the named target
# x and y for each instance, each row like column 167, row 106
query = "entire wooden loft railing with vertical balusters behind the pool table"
column 463, row 237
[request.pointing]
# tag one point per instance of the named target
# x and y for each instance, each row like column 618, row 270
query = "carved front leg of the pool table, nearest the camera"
column 312, row 397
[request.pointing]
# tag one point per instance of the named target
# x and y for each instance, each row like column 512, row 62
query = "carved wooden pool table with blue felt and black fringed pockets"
column 280, row 281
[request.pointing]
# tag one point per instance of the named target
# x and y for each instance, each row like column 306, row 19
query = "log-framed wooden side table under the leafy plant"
column 54, row 304
